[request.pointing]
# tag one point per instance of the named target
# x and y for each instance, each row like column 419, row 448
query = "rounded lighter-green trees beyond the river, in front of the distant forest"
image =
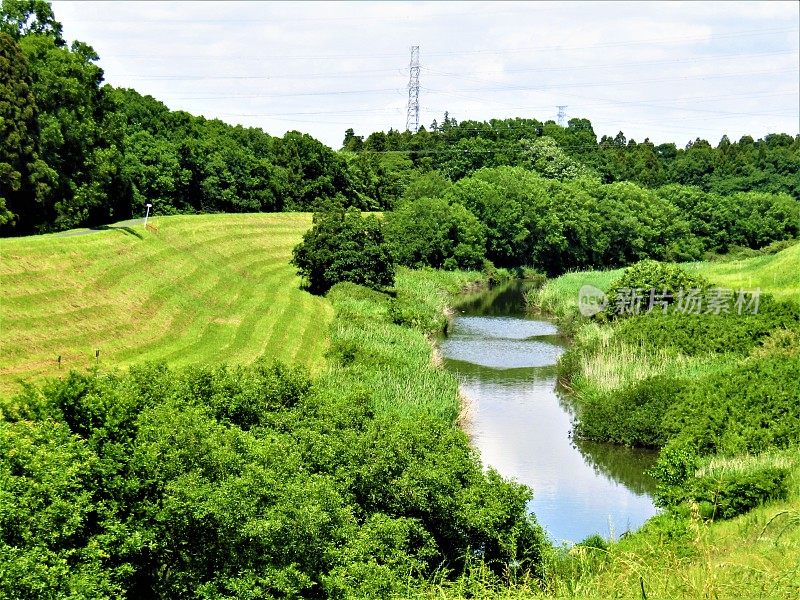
column 514, row 217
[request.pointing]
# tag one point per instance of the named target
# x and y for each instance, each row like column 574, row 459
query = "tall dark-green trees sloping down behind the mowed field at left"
column 77, row 152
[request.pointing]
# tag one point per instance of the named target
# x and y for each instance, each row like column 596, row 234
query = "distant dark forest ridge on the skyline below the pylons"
column 770, row 164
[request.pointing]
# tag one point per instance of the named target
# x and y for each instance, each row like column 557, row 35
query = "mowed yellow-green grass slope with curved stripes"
column 203, row 289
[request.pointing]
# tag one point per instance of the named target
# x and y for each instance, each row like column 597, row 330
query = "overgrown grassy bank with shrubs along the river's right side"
column 699, row 548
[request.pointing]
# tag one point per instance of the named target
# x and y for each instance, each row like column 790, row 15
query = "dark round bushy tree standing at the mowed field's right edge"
column 344, row 246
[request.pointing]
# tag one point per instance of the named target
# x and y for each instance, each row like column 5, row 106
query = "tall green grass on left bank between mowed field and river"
column 383, row 342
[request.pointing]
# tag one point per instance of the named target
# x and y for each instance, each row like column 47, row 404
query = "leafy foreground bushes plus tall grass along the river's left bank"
column 232, row 482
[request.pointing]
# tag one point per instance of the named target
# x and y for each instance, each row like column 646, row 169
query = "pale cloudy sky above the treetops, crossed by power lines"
column 667, row 71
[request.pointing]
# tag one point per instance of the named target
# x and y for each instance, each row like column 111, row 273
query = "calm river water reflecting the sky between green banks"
column 521, row 424
